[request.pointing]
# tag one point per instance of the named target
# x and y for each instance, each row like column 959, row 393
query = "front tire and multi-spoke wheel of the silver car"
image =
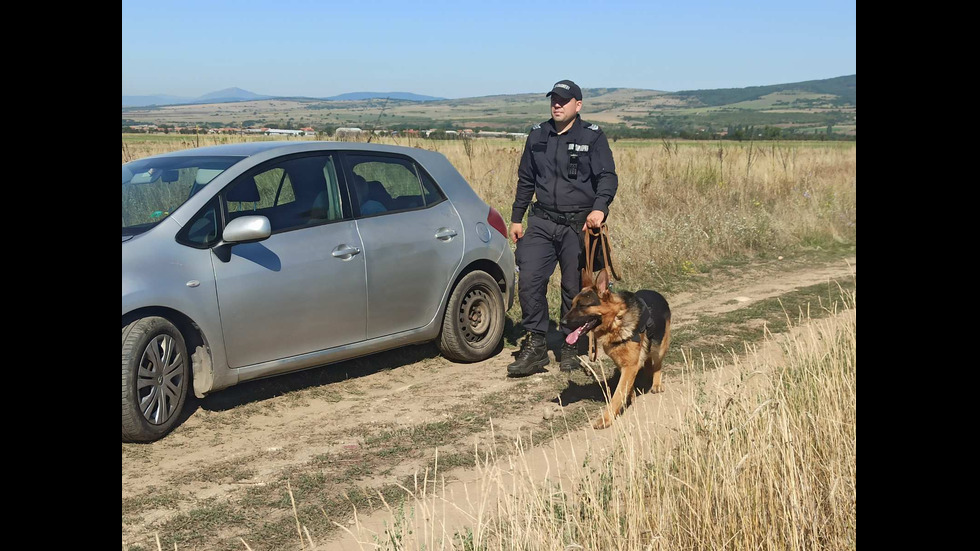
column 156, row 377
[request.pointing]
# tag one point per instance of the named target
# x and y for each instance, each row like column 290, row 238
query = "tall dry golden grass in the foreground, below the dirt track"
column 764, row 457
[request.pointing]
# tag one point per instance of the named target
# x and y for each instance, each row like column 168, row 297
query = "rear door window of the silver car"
column 384, row 184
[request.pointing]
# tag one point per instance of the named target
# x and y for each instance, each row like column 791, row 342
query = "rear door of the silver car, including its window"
column 412, row 236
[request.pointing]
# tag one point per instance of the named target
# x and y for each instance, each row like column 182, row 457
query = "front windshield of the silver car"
column 154, row 188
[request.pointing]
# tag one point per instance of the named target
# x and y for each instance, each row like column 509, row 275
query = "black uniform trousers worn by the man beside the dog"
column 546, row 244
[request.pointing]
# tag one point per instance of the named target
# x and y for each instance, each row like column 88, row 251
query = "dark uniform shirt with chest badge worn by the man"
column 544, row 170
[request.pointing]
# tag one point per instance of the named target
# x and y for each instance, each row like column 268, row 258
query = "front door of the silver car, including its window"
column 303, row 289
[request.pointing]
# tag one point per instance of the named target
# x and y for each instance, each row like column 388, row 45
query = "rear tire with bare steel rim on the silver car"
column 473, row 326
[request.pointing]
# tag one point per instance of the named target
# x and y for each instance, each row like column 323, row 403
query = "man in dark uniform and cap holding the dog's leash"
column 568, row 165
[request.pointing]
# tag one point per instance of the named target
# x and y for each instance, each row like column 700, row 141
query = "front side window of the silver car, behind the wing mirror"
column 292, row 193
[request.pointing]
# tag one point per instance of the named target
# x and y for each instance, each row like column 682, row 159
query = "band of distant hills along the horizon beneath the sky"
column 822, row 109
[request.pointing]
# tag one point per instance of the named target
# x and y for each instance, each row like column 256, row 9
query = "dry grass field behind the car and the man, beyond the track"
column 681, row 207
